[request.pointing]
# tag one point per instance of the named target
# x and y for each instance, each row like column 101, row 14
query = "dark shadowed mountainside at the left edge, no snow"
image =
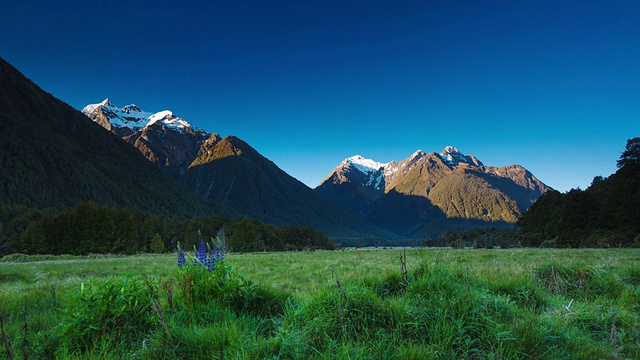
column 51, row 155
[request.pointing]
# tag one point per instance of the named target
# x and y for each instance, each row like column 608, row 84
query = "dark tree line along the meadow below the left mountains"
column 90, row 228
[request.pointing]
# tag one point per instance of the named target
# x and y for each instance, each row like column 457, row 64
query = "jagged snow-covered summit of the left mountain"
column 129, row 119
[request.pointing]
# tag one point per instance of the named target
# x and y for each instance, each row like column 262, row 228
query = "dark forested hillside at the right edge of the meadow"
column 606, row 214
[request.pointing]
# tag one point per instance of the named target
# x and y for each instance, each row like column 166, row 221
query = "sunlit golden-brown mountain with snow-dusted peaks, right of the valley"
column 429, row 191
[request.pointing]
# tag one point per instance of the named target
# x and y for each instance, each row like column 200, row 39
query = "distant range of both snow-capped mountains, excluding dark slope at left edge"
column 416, row 197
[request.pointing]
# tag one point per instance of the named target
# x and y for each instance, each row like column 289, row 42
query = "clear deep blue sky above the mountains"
column 551, row 85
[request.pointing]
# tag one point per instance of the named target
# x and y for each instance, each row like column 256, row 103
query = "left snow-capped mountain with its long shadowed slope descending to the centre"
column 227, row 170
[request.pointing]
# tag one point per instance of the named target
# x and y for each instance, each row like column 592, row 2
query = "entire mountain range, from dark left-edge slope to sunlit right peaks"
column 52, row 155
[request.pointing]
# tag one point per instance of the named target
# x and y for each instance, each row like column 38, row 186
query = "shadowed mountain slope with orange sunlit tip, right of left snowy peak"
column 232, row 172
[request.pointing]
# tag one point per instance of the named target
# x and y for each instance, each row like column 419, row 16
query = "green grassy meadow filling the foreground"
column 357, row 304
